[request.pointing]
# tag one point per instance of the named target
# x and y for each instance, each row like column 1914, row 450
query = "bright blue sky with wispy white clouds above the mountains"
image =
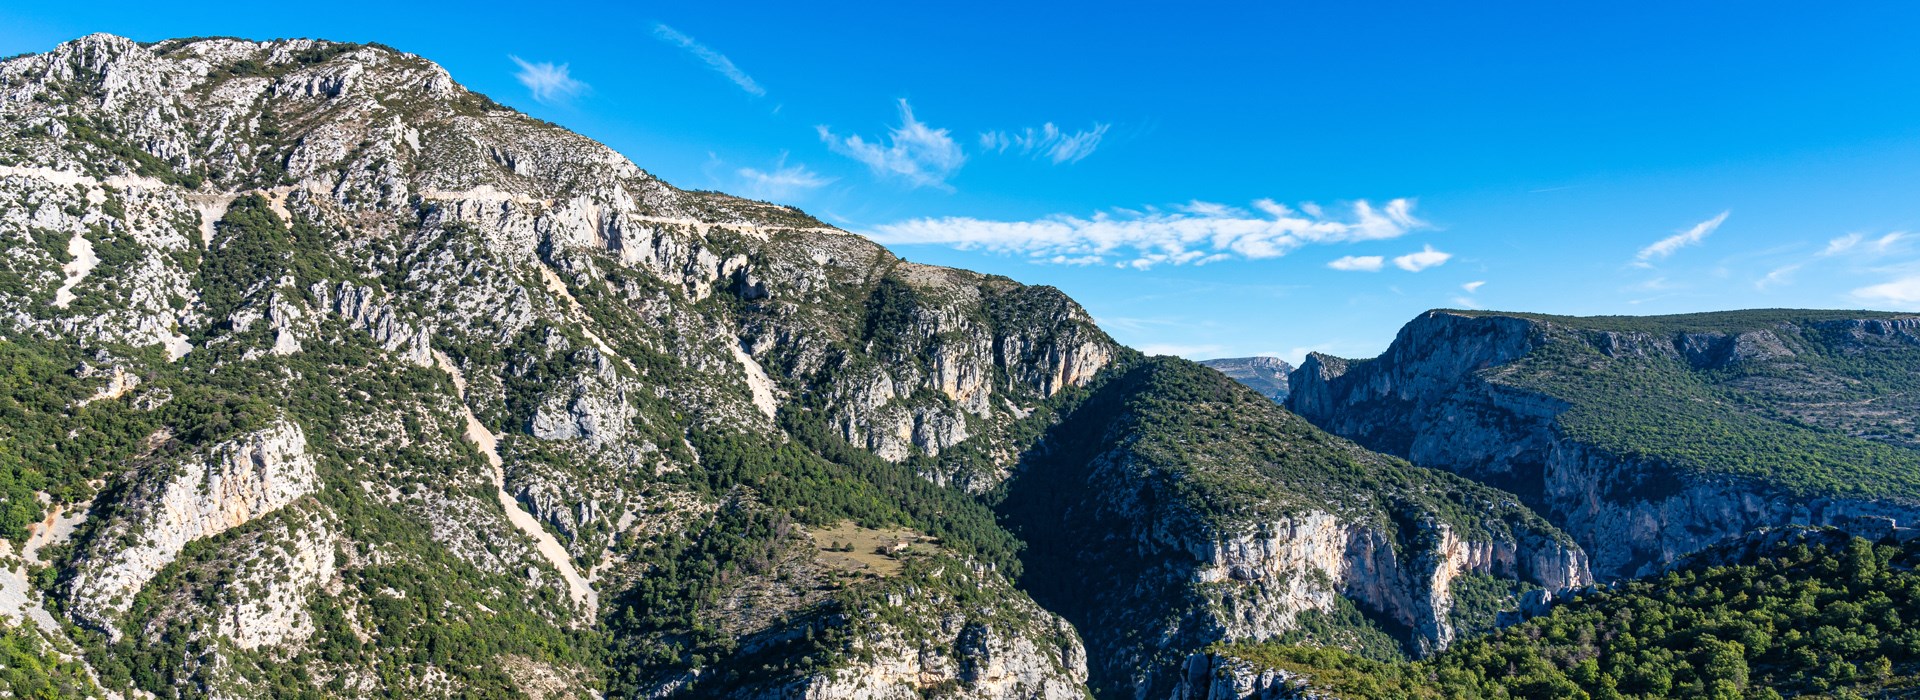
column 1237, row 179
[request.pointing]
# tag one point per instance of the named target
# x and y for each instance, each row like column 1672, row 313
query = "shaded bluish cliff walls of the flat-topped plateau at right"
column 1441, row 398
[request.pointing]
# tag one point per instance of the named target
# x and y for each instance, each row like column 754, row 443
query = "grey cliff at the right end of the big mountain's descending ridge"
column 934, row 358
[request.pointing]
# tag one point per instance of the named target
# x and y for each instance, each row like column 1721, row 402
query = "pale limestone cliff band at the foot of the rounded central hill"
column 1259, row 578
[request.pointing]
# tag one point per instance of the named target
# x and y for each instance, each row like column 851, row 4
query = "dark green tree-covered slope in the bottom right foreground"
column 1788, row 613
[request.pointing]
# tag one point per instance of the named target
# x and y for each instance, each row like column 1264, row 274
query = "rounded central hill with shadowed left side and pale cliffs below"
column 1176, row 509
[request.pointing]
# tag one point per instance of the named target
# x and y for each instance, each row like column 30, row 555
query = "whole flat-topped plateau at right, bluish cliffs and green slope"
column 1648, row 438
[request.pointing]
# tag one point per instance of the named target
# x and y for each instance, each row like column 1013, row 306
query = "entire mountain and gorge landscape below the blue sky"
column 339, row 379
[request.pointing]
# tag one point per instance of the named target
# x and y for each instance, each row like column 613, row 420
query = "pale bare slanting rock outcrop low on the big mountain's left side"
column 183, row 502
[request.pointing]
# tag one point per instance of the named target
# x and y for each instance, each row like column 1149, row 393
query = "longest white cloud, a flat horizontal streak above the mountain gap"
column 1191, row 235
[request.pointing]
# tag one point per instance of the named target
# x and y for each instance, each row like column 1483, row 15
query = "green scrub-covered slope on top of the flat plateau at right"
column 1796, row 398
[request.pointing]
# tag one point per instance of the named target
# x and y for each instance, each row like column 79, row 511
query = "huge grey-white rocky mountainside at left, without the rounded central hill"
column 381, row 388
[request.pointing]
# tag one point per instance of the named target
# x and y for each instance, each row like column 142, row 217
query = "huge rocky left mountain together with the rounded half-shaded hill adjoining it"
column 325, row 377
